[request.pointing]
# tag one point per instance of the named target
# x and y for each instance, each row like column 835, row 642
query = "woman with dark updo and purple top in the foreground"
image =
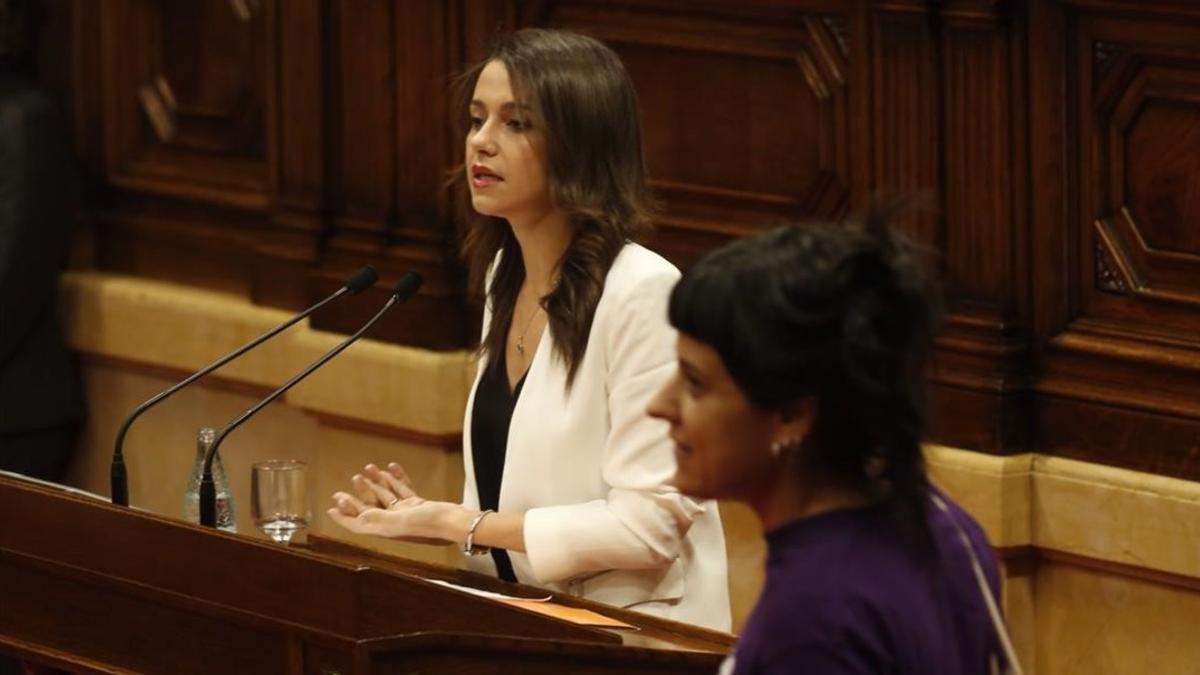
column 800, row 392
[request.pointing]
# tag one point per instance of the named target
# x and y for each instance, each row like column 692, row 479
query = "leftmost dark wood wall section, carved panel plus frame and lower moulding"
column 206, row 139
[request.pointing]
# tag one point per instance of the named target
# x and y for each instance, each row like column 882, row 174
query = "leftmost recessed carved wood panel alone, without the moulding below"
column 185, row 98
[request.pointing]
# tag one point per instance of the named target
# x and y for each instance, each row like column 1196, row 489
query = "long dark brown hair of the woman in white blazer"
column 585, row 106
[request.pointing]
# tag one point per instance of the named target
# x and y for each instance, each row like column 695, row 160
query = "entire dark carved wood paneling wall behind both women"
column 272, row 147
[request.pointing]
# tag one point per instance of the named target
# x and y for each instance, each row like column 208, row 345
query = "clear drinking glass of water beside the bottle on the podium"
column 279, row 498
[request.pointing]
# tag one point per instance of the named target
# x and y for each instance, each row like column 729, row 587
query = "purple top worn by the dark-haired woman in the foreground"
column 844, row 594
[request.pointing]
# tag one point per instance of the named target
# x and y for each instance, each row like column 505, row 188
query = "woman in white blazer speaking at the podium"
column 566, row 475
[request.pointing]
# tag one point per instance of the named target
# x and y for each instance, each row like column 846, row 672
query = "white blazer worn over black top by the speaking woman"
column 590, row 468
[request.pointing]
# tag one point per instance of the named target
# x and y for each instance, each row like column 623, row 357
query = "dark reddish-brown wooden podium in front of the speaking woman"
column 92, row 588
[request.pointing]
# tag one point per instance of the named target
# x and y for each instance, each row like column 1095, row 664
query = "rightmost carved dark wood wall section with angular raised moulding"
column 1118, row 270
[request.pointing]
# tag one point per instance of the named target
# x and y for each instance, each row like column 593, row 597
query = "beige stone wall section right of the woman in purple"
column 1112, row 578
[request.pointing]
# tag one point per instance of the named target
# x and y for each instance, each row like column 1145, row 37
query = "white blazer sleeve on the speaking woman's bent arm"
column 643, row 522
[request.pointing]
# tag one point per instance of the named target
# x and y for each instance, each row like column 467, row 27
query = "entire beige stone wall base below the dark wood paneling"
column 1103, row 564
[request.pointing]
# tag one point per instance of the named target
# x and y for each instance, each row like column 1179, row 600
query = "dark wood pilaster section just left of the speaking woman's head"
column 393, row 147
